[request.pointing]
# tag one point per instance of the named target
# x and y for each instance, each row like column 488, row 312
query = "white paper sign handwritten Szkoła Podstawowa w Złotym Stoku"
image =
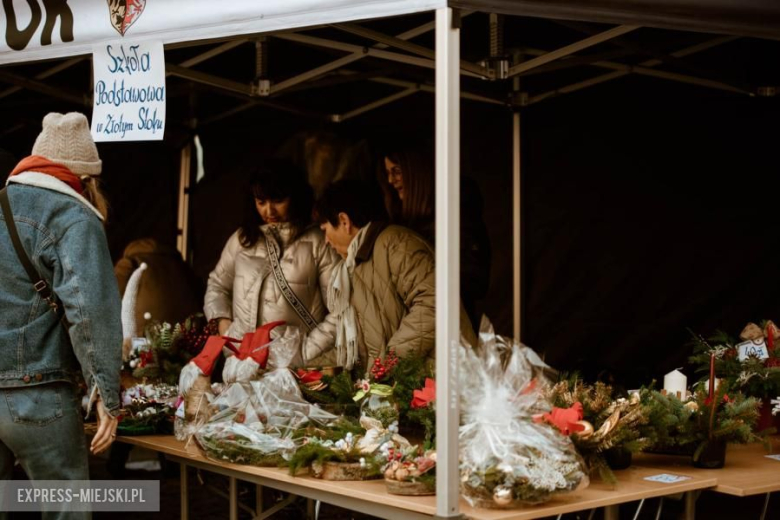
column 129, row 91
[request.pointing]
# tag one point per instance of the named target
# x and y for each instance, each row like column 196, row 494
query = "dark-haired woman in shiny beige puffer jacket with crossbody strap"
column 277, row 265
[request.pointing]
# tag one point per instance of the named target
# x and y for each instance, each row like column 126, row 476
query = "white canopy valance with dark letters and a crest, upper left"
column 46, row 29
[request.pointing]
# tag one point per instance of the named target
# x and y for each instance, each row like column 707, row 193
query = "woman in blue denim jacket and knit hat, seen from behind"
column 59, row 214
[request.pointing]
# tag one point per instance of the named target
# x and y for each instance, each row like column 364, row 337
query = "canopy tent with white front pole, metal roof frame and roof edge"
column 32, row 34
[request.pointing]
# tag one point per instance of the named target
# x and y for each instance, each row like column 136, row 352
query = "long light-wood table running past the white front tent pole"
column 371, row 497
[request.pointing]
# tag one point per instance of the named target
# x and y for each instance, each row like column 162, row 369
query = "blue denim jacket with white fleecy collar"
column 64, row 238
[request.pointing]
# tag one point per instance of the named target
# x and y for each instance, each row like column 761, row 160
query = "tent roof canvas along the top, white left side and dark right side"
column 31, row 33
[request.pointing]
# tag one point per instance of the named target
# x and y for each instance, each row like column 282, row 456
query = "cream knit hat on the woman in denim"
column 66, row 139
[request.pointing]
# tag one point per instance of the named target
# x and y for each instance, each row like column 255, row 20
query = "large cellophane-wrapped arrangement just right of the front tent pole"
column 506, row 457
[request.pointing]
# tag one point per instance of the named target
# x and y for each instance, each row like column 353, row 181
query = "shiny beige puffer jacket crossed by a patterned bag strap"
column 242, row 286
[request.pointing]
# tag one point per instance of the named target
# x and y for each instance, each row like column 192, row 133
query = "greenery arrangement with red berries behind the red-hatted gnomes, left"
column 167, row 348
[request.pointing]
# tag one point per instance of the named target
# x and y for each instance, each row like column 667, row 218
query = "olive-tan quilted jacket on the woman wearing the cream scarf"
column 394, row 296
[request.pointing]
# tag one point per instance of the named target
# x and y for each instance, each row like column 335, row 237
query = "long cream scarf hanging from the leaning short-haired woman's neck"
column 339, row 296
